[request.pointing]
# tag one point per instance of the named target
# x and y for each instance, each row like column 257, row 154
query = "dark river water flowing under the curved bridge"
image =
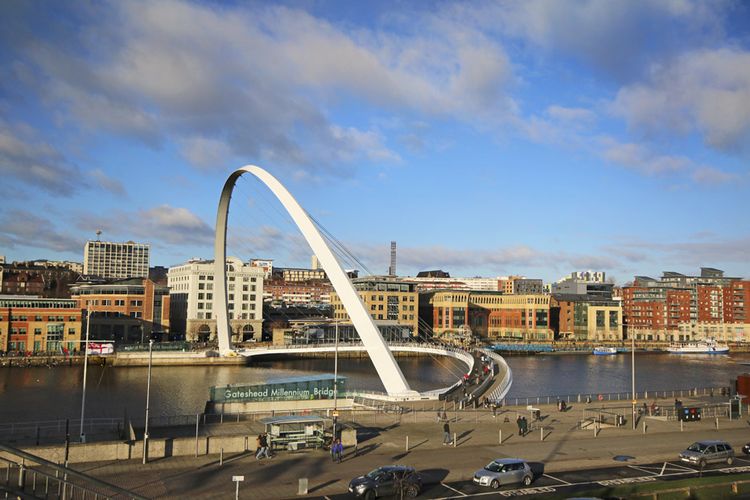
column 35, row 394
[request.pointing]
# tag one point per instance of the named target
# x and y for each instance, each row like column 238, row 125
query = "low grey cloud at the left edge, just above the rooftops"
column 25, row 229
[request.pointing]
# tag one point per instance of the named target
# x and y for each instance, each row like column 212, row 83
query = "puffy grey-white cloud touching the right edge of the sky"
column 707, row 91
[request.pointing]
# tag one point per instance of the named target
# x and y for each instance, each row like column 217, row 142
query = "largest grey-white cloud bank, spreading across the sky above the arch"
column 252, row 83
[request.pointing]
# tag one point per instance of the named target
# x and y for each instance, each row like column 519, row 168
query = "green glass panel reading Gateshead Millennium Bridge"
column 286, row 389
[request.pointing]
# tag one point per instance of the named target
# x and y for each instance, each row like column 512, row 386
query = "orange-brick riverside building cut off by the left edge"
column 35, row 324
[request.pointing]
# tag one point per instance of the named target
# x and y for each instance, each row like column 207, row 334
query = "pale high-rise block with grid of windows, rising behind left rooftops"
column 116, row 260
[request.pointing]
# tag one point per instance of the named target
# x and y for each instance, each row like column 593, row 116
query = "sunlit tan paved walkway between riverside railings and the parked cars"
column 556, row 441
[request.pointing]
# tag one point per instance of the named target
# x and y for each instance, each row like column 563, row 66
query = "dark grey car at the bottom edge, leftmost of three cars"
column 387, row 481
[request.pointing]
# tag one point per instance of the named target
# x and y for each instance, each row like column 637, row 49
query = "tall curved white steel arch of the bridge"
column 381, row 356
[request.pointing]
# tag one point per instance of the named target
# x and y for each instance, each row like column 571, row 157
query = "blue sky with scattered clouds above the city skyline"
column 531, row 137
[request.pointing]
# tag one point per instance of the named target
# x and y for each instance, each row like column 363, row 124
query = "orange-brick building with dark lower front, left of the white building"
column 125, row 311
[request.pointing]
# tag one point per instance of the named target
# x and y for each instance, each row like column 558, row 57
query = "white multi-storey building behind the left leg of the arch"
column 191, row 288
